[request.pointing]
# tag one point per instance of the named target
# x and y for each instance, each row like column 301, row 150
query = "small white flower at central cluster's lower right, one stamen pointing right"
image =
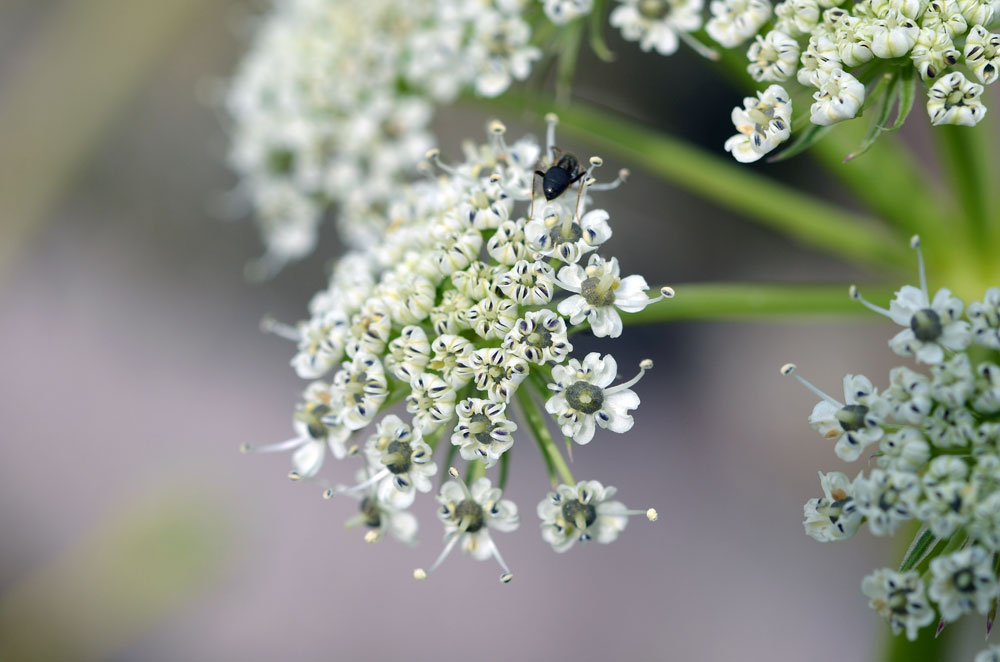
column 583, row 512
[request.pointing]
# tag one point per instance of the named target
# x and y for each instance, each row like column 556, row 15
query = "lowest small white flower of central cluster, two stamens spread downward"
column 468, row 514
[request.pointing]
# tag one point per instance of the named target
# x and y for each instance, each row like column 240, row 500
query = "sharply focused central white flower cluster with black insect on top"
column 464, row 311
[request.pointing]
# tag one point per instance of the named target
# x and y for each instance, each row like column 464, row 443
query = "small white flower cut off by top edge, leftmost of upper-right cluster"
column 656, row 24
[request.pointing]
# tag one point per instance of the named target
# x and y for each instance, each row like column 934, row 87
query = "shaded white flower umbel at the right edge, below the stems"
column 932, row 440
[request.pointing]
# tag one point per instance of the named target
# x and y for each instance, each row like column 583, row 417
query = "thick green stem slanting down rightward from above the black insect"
column 719, row 179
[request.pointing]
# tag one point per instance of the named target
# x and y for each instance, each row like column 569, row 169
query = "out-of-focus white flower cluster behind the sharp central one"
column 332, row 103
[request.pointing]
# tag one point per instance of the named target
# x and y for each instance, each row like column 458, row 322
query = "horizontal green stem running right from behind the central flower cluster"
column 718, row 301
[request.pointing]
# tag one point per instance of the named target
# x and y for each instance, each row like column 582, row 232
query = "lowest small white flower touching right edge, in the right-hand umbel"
column 963, row 582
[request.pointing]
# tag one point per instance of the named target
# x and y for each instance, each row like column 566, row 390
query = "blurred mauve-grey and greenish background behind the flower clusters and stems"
column 132, row 368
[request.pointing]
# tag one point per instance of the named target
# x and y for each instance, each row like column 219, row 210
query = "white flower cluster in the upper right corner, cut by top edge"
column 833, row 50
